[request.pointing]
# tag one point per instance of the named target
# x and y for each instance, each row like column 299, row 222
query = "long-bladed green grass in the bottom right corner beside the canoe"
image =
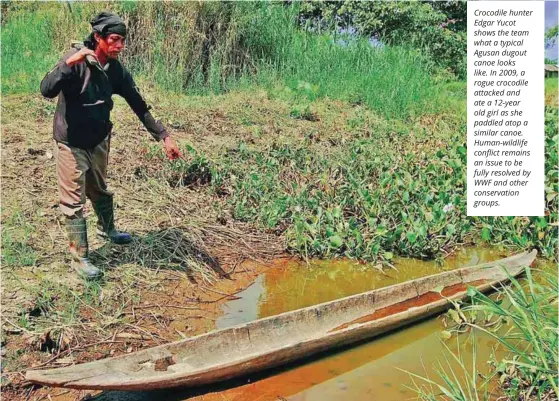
column 523, row 321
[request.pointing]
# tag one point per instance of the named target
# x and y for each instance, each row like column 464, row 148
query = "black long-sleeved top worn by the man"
column 82, row 117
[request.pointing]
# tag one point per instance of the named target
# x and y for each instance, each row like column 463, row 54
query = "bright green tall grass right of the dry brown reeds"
column 392, row 80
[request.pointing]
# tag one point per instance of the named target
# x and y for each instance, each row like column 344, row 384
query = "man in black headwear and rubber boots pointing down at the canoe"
column 84, row 81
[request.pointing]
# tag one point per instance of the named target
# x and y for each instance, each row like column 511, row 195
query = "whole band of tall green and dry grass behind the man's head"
column 213, row 47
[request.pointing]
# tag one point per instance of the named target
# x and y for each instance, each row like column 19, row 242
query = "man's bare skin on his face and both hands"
column 110, row 47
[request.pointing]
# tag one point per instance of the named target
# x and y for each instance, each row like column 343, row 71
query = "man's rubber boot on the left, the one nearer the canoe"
column 77, row 234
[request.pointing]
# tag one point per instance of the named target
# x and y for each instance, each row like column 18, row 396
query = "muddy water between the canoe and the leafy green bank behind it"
column 291, row 286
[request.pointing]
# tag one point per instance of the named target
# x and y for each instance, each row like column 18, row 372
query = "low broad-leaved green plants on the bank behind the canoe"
column 373, row 194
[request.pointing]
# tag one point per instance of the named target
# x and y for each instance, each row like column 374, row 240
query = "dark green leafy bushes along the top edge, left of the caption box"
column 438, row 28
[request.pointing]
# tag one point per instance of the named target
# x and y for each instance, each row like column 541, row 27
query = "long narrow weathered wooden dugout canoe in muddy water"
column 276, row 340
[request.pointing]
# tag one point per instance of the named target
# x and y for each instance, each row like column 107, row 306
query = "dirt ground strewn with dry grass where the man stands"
column 52, row 318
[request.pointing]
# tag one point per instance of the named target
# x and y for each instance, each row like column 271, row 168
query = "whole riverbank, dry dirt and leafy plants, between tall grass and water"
column 259, row 181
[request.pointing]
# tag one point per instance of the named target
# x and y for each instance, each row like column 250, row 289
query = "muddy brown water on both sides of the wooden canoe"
column 364, row 372
